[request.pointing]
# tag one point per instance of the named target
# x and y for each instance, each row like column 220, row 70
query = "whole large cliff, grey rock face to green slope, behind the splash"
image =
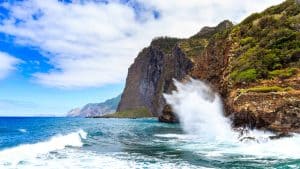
column 253, row 65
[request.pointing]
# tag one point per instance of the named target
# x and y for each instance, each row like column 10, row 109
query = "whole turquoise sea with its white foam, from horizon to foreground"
column 129, row 143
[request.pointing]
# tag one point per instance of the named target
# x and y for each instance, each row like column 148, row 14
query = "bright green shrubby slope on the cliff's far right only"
column 267, row 44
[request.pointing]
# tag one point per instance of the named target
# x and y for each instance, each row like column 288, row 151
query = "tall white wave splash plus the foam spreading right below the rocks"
column 200, row 113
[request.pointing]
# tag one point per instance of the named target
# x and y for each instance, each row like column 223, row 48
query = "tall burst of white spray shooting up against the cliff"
column 200, row 110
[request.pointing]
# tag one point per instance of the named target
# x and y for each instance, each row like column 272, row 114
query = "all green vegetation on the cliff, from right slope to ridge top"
column 264, row 46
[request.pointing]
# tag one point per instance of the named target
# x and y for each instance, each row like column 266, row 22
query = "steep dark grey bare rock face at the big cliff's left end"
column 152, row 74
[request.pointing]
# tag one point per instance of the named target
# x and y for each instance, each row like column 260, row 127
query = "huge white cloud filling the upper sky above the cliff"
column 93, row 44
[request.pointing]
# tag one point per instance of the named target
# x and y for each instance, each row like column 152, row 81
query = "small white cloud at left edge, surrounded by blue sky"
column 7, row 64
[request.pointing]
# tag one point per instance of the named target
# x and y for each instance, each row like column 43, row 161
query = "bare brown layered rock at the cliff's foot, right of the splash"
column 278, row 111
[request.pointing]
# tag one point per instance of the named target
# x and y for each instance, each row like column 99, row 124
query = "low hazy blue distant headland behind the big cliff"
column 96, row 109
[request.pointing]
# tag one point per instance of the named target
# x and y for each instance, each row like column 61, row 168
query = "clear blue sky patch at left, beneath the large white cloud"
column 22, row 96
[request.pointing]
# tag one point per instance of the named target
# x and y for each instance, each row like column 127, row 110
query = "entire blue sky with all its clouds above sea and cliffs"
column 56, row 55
